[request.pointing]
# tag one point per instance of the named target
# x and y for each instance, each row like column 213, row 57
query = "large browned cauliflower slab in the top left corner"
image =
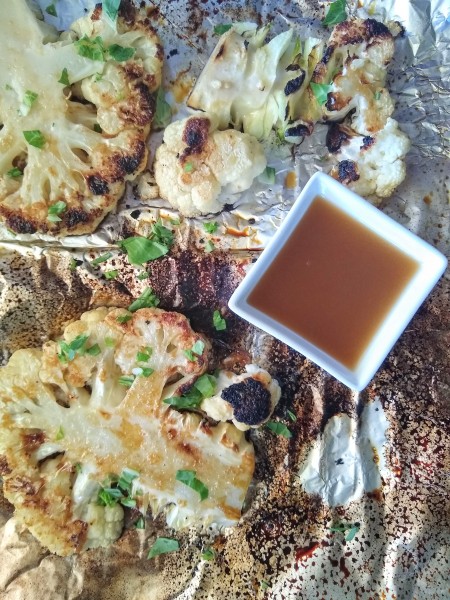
column 74, row 117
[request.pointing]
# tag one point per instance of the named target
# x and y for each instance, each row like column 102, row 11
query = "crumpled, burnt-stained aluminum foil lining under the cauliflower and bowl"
column 356, row 503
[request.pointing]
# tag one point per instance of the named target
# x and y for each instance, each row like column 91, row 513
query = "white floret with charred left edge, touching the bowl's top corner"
column 370, row 164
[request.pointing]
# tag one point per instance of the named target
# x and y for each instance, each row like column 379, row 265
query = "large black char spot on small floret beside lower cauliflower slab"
column 250, row 400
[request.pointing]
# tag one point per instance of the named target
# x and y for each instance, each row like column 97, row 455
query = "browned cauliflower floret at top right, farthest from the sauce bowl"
column 352, row 74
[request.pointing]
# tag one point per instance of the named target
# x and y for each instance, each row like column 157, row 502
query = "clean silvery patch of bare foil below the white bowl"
column 348, row 458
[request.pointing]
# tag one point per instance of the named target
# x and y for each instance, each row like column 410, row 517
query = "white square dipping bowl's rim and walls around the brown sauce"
column 431, row 265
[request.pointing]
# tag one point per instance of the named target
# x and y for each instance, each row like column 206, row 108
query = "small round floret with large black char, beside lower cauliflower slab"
column 248, row 400
